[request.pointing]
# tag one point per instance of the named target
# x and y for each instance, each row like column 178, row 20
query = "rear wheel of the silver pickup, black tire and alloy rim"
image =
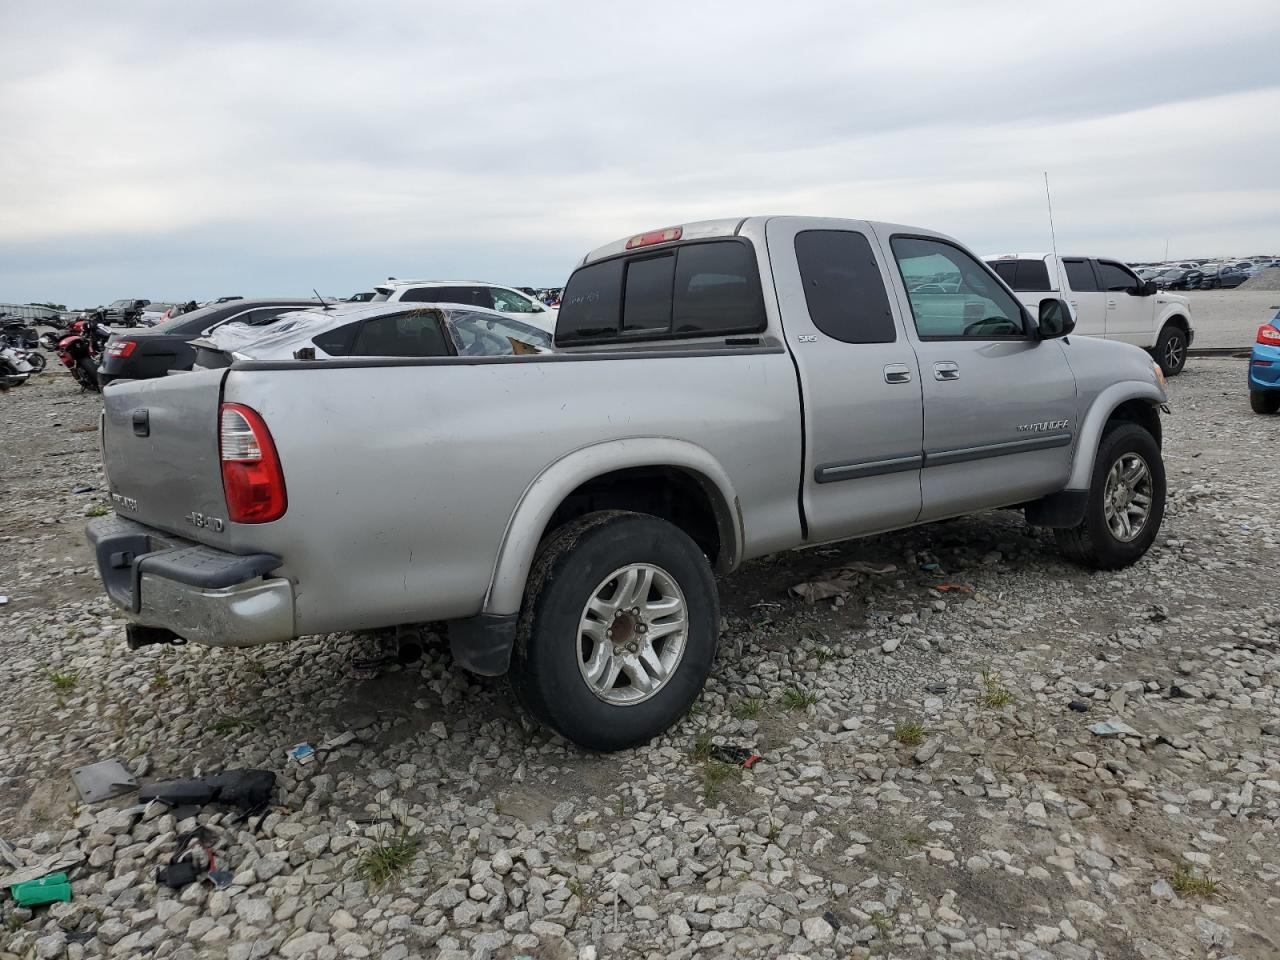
column 618, row 633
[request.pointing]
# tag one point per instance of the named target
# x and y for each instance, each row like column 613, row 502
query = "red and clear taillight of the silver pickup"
column 253, row 479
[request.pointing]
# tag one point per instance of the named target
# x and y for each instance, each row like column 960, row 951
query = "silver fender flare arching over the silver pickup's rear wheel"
column 552, row 486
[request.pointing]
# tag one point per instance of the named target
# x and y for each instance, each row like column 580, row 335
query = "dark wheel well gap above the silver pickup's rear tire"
column 678, row 496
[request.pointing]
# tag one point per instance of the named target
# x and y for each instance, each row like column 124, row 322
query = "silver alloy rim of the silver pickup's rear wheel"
column 632, row 636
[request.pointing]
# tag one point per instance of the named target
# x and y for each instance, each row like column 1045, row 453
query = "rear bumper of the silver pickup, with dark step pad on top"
column 202, row 595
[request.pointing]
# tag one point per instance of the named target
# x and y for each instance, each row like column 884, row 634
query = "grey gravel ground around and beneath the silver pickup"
column 930, row 785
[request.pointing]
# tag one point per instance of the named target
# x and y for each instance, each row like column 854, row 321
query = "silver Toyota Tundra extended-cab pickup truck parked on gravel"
column 719, row 391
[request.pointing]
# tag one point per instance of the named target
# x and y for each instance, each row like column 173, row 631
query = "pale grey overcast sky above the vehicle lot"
column 179, row 150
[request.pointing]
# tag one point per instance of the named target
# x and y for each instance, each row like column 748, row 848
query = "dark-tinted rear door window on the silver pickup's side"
column 844, row 289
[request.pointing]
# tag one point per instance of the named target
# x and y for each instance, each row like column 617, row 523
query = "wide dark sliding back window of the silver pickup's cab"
column 698, row 290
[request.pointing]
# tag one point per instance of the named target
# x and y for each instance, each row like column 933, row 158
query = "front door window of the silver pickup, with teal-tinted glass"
column 953, row 296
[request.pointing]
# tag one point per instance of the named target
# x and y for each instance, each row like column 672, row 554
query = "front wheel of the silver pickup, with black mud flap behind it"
column 1127, row 502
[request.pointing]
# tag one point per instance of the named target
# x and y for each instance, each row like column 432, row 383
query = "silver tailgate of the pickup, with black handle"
column 161, row 452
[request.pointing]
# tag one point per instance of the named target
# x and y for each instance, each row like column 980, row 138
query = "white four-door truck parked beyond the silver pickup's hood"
column 1109, row 299
